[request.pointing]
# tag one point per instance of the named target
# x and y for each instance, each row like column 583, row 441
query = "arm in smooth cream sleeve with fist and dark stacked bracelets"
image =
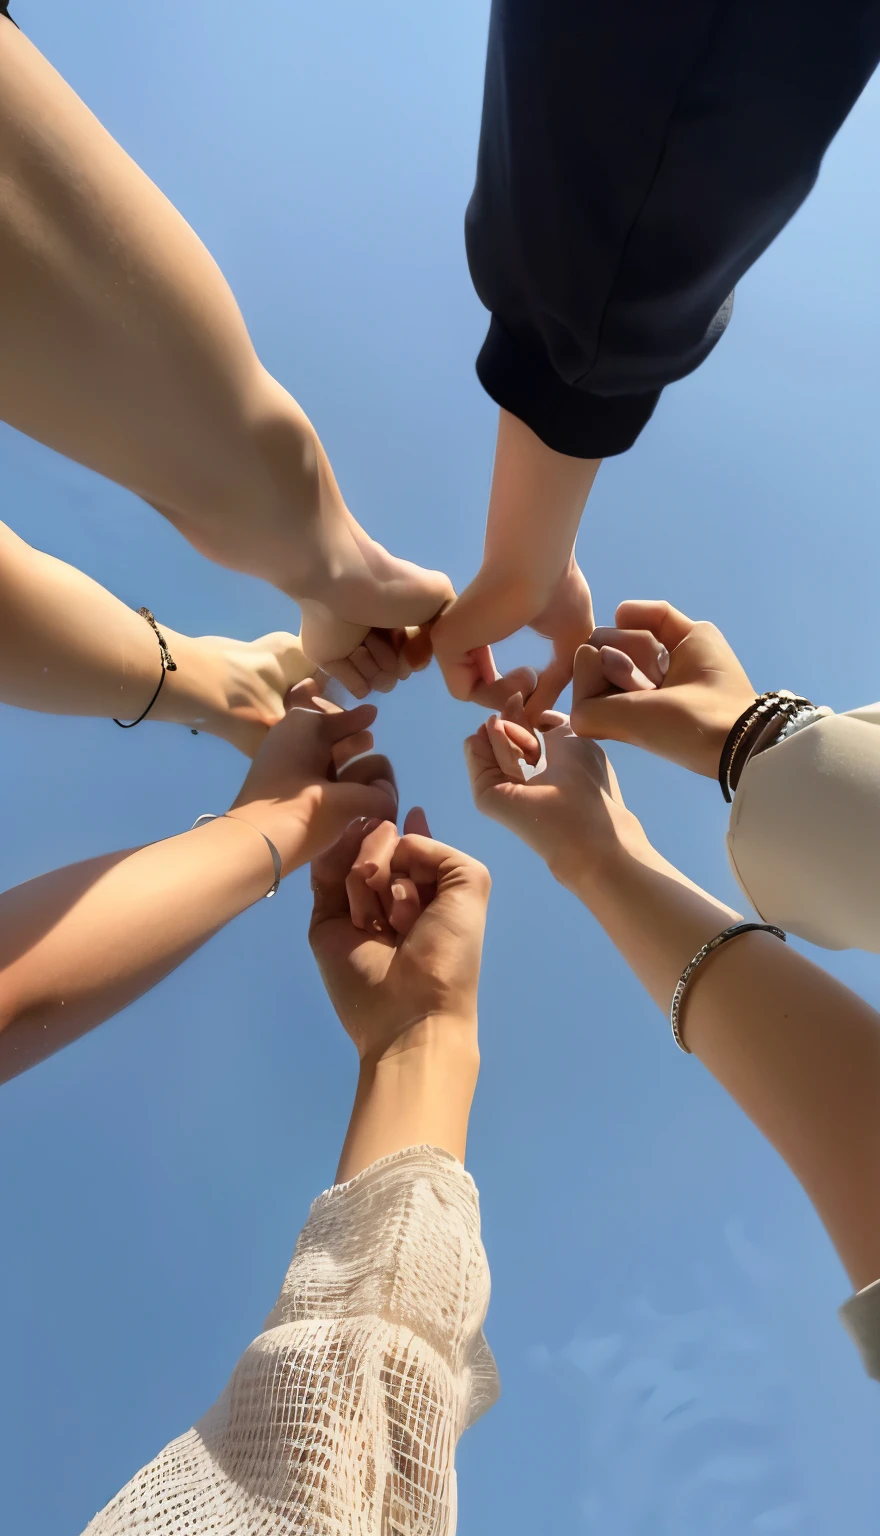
column 806, row 821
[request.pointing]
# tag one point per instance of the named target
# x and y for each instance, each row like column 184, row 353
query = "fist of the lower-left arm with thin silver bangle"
column 303, row 790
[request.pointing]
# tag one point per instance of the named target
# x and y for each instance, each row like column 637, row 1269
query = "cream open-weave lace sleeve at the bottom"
column 343, row 1417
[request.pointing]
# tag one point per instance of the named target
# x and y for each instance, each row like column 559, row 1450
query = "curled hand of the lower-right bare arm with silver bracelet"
column 572, row 813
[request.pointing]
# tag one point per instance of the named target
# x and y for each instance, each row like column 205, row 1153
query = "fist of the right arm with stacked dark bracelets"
column 686, row 689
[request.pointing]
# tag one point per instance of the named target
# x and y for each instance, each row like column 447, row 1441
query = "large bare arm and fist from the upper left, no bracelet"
column 125, row 349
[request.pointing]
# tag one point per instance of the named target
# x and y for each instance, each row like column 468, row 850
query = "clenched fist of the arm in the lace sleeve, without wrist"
column 388, row 982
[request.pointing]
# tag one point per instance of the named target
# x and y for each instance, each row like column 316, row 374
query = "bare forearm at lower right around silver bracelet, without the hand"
column 798, row 1051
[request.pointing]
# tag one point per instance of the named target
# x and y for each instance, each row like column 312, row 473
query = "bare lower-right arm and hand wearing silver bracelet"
column 796, row 1048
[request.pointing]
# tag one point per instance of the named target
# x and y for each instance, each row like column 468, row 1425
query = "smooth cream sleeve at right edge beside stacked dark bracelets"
column 806, row 832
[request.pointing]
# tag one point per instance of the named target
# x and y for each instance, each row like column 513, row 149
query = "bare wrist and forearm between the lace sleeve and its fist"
column 420, row 1093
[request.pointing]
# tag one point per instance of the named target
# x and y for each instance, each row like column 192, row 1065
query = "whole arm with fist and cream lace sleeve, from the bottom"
column 346, row 1411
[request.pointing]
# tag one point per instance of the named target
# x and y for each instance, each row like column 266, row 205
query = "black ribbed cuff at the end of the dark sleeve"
column 567, row 420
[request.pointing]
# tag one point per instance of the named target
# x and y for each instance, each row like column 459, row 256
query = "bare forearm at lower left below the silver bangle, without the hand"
column 81, row 944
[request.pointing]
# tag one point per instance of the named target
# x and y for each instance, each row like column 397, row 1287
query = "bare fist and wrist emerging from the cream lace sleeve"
column 406, row 995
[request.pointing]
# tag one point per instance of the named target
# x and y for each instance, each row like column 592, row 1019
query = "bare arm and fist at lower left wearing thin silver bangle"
column 81, row 944
